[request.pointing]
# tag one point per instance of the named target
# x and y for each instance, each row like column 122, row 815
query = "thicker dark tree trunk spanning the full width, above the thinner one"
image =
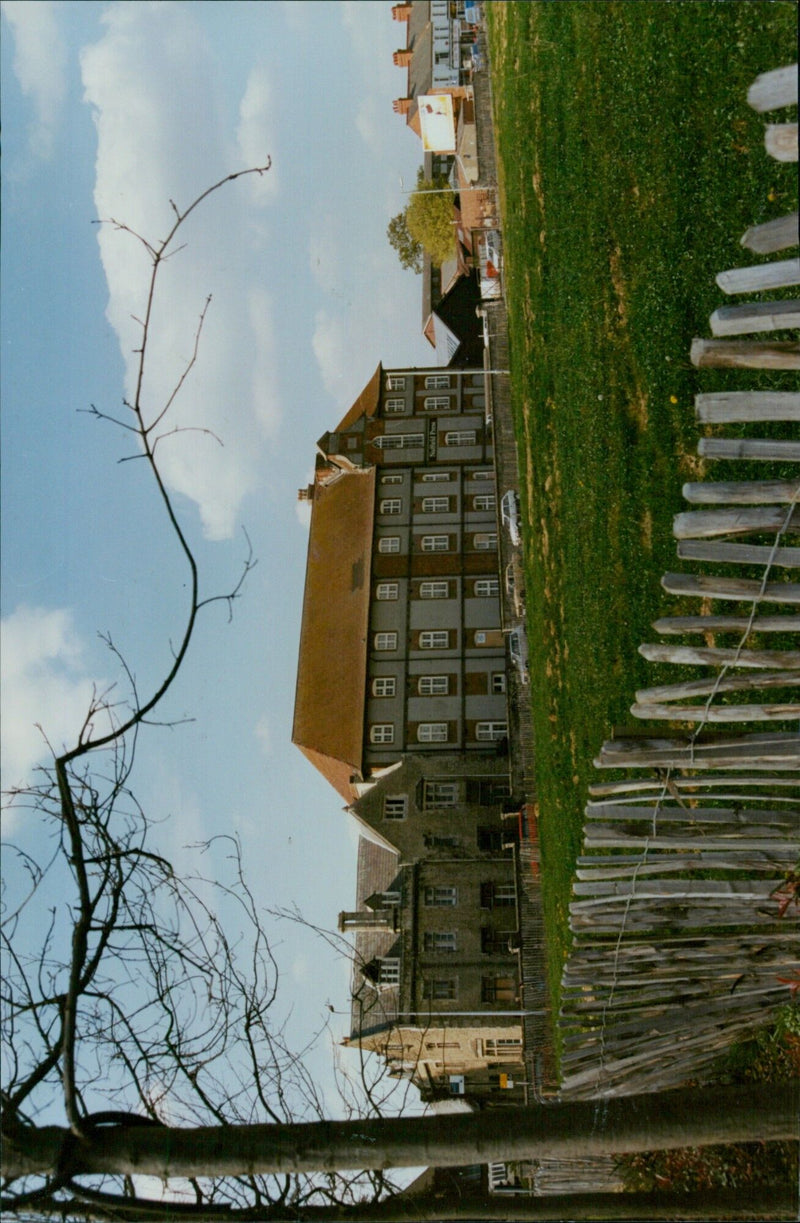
column 695, row 1117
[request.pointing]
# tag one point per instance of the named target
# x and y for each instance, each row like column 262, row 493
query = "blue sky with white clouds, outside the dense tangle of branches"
column 111, row 112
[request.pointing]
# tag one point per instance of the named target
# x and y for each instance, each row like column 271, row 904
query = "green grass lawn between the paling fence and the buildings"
column 631, row 167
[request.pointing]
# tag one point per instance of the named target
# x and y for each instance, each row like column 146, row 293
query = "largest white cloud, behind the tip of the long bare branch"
column 151, row 81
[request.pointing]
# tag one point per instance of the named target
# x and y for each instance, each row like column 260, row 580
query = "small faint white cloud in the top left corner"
column 40, row 65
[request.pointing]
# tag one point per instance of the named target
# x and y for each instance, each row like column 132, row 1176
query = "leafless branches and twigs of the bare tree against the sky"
column 125, row 1002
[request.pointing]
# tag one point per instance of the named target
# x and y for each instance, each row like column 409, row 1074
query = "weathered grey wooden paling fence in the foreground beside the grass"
column 686, row 913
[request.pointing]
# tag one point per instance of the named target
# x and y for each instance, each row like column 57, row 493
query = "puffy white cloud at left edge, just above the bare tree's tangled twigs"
column 46, row 689
